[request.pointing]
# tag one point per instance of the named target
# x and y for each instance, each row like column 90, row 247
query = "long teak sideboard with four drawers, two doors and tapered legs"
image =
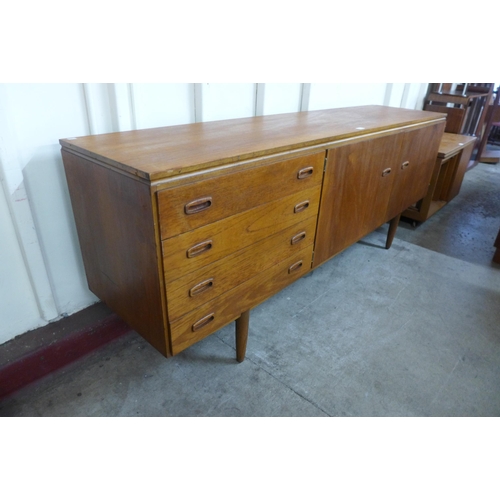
column 185, row 229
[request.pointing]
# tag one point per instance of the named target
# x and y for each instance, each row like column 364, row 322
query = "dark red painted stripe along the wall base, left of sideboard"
column 51, row 357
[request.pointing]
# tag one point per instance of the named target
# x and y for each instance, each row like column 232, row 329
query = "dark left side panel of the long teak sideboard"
column 115, row 225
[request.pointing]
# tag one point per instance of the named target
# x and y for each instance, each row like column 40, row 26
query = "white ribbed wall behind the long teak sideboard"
column 41, row 270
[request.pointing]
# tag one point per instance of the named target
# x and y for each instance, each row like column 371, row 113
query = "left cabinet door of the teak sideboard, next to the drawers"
column 356, row 189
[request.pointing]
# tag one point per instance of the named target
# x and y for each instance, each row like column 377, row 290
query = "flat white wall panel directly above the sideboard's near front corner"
column 162, row 104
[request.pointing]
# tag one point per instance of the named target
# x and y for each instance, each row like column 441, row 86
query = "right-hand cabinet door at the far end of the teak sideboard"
column 419, row 149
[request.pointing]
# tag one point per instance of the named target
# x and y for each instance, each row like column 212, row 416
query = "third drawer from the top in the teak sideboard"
column 202, row 285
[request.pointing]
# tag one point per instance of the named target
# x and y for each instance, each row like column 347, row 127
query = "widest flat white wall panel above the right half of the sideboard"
column 340, row 95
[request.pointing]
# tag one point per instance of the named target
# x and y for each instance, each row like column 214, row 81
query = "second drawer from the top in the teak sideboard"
column 190, row 251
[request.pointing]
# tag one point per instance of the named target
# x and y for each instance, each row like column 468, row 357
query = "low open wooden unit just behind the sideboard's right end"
column 448, row 173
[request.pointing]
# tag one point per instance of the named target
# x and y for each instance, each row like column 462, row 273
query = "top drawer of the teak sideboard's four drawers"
column 190, row 206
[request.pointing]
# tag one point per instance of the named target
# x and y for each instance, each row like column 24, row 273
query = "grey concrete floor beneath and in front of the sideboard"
column 410, row 331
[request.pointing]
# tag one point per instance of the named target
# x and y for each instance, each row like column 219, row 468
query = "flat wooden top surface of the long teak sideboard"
column 158, row 153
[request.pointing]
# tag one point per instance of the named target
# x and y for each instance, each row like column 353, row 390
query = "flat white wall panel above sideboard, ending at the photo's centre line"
column 221, row 101
